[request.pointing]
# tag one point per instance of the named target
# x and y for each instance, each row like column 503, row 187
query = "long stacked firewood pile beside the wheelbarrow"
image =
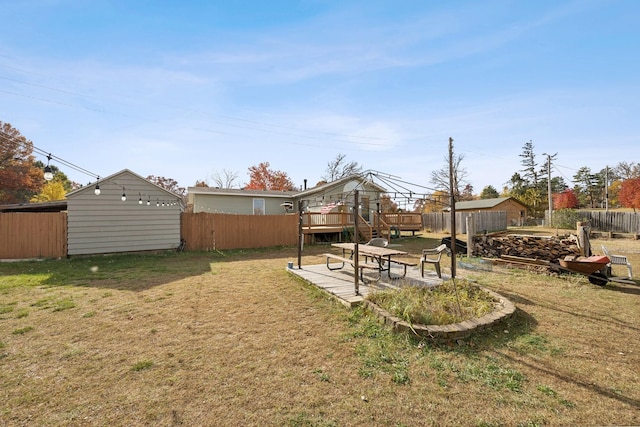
column 547, row 248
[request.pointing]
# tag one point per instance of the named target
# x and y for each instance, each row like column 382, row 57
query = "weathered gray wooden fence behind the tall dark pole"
column 489, row 221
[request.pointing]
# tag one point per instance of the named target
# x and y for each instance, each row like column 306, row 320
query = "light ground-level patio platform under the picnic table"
column 340, row 283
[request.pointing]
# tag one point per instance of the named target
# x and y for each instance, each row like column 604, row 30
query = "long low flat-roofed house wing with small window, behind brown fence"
column 243, row 202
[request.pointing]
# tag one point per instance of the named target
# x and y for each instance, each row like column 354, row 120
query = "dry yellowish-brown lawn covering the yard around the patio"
column 230, row 339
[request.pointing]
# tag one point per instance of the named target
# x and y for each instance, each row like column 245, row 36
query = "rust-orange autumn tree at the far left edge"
column 20, row 178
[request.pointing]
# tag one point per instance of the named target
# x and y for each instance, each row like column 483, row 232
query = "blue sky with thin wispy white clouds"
column 186, row 89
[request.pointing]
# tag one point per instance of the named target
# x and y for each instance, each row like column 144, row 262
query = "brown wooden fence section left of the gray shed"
column 33, row 235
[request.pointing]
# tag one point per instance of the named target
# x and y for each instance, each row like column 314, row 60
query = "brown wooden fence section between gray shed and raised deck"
column 213, row 231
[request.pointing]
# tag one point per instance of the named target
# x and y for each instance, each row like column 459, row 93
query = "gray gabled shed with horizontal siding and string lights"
column 148, row 219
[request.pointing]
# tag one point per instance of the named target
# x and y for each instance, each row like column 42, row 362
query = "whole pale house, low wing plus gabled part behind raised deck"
column 331, row 197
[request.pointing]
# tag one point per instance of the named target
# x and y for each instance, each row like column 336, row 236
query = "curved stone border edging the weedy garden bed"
column 454, row 331
